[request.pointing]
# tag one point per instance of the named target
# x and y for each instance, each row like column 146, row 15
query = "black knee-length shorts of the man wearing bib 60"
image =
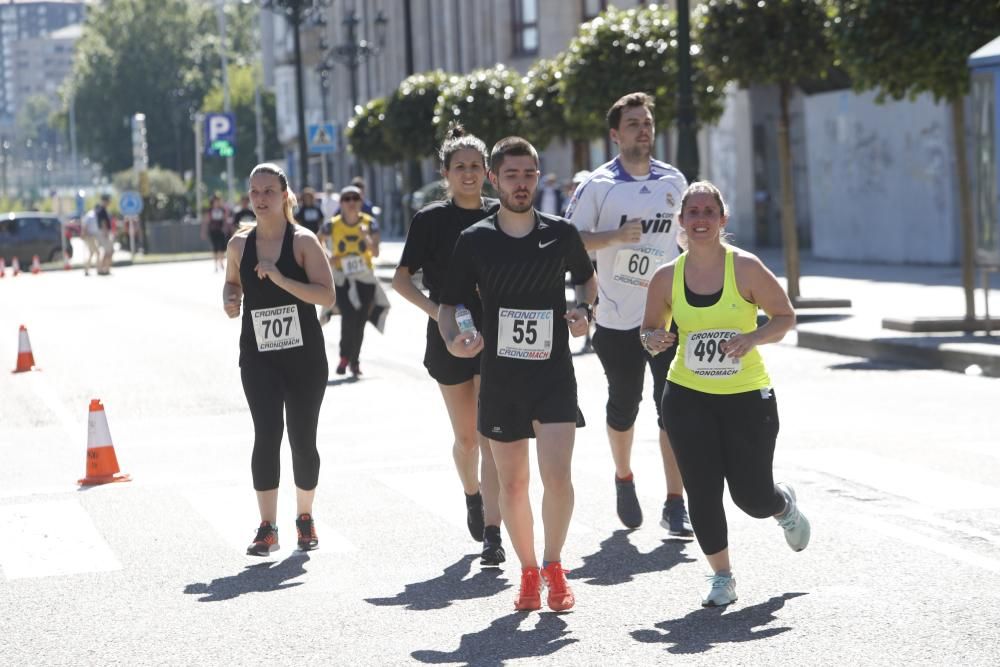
column 624, row 361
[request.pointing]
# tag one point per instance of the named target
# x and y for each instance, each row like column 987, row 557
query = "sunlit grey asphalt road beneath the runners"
column 896, row 468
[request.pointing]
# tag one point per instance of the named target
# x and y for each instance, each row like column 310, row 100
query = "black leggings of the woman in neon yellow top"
column 723, row 438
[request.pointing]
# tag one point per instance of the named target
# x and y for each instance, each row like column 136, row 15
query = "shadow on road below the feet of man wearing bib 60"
column 618, row 560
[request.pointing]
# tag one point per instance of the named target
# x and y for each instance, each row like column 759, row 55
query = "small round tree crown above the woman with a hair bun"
column 484, row 101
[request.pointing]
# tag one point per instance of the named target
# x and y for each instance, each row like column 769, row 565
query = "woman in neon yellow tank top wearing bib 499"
column 718, row 408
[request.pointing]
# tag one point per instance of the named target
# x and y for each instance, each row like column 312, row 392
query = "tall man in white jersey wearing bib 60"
column 625, row 211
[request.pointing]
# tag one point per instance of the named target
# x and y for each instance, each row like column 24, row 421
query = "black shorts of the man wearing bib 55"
column 508, row 417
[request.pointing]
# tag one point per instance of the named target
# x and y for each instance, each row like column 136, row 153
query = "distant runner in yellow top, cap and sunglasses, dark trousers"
column 353, row 239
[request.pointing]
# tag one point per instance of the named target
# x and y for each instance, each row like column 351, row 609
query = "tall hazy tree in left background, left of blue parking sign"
column 157, row 57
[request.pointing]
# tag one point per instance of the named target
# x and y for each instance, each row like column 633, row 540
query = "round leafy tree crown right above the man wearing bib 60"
column 625, row 51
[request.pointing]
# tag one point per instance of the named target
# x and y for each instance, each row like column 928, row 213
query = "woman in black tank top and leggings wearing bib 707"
column 280, row 272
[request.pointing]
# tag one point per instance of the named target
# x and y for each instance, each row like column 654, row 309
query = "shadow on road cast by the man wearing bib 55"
column 502, row 640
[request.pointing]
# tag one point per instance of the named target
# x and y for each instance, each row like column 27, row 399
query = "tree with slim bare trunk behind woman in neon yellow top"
column 778, row 42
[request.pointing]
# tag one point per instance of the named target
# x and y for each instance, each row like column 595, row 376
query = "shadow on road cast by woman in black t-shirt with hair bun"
column 440, row 592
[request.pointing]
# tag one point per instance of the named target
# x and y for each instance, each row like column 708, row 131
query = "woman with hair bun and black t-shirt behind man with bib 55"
column 429, row 244
